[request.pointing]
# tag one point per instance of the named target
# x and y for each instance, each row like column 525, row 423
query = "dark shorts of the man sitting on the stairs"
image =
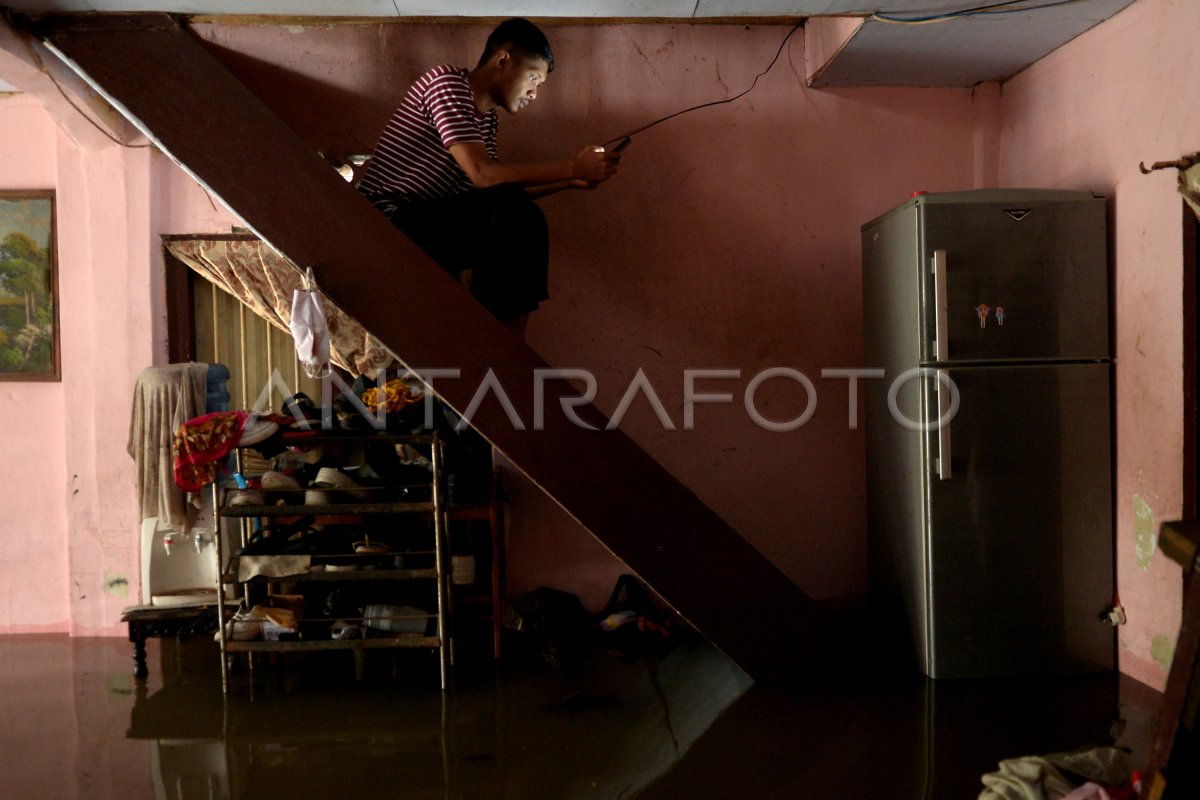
column 497, row 233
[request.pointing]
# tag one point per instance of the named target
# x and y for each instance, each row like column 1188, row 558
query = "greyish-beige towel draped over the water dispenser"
column 164, row 399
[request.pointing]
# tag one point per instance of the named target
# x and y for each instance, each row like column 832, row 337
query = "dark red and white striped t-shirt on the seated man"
column 412, row 159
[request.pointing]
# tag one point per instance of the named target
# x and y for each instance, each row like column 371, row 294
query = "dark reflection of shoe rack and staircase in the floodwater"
column 519, row 733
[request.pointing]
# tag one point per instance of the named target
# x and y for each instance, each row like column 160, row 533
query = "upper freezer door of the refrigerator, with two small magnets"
column 1013, row 281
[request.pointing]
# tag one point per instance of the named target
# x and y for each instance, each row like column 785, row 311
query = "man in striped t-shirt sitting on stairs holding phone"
column 436, row 176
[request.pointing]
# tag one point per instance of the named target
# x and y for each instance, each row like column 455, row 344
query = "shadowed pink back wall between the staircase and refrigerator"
column 729, row 240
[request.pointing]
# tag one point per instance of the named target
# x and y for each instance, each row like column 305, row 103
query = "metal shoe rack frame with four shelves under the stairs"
column 353, row 568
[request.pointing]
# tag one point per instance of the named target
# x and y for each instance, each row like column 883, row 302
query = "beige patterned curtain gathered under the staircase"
column 265, row 280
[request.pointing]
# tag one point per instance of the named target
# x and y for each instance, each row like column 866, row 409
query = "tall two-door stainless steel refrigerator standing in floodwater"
column 989, row 436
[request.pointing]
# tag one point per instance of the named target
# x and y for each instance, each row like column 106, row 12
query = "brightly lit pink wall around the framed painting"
column 69, row 539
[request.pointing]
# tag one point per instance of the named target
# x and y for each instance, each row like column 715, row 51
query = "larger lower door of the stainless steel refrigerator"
column 1019, row 524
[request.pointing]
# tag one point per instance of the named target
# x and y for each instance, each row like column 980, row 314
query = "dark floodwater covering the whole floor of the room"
column 74, row 724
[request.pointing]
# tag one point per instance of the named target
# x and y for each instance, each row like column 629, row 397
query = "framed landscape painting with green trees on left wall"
column 29, row 297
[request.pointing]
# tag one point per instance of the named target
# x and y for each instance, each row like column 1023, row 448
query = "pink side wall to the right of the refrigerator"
column 1084, row 117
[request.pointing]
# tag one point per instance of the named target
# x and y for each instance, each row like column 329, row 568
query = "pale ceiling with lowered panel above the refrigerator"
column 959, row 52
